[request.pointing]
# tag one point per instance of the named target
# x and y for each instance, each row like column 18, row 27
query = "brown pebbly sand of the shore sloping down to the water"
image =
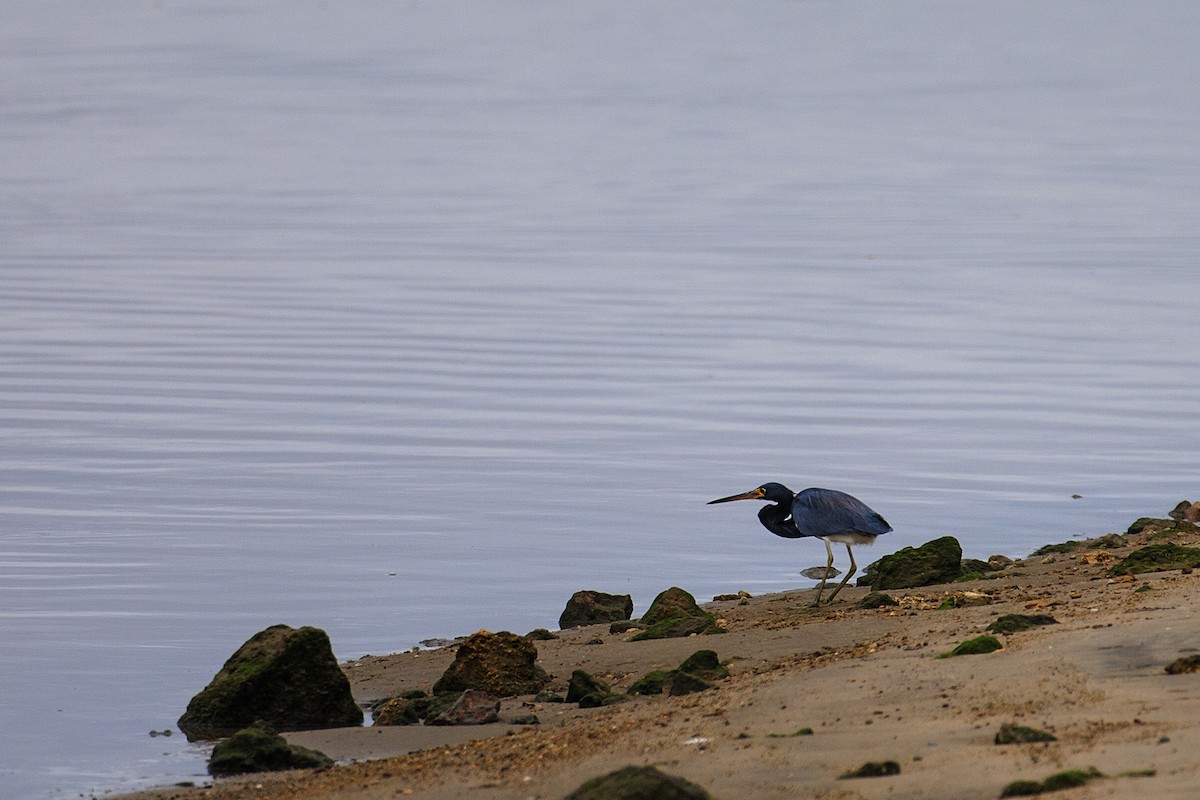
column 868, row 683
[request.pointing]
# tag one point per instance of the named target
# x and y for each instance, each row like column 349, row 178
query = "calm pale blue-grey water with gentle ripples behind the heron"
column 409, row 320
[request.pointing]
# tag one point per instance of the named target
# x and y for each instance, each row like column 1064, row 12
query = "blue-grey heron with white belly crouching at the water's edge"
column 830, row 515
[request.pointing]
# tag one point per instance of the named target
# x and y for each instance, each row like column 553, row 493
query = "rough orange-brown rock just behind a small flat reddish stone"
column 499, row 664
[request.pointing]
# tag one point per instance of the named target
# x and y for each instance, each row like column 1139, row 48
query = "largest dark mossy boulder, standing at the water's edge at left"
column 285, row 677
